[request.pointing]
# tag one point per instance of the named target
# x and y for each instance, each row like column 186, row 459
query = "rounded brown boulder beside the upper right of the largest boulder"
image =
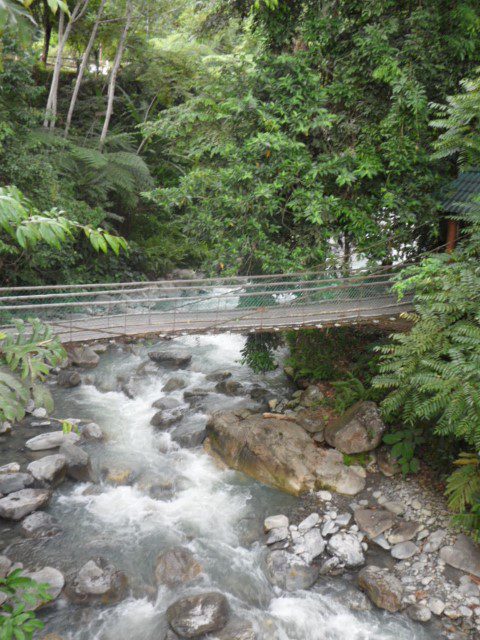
column 360, row 429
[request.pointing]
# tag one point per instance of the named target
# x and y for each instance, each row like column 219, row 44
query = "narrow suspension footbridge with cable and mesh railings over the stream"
column 81, row 313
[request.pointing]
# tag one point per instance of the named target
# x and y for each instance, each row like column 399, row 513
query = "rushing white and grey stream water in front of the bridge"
column 217, row 513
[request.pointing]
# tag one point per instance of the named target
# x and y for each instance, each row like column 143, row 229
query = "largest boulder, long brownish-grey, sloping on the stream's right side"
column 279, row 453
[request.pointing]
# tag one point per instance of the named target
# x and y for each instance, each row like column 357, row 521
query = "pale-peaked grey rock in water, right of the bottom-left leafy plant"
column 97, row 581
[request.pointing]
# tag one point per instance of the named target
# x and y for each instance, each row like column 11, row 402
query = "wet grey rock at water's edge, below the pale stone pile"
column 290, row 572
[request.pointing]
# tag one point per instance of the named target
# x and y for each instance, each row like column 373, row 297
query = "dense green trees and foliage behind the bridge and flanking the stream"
column 254, row 136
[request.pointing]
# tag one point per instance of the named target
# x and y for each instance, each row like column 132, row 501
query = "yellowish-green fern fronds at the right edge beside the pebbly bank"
column 463, row 491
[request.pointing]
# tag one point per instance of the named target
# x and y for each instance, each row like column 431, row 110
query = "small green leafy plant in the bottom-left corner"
column 17, row 622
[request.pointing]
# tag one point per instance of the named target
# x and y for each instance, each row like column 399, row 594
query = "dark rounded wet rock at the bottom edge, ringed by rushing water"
column 197, row 615
